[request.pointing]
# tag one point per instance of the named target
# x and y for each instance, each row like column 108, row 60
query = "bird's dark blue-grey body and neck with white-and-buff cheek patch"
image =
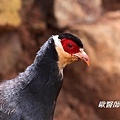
column 32, row 94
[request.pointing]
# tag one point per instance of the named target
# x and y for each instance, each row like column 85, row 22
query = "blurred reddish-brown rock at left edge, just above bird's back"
column 10, row 52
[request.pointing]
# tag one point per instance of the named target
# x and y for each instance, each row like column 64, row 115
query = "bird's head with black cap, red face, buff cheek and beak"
column 69, row 49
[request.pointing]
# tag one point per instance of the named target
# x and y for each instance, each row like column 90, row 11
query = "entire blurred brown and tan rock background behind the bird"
column 26, row 24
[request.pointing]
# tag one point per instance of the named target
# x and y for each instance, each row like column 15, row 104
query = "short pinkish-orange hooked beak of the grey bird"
column 83, row 56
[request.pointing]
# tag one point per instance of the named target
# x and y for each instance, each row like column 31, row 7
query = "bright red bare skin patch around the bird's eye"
column 69, row 46
